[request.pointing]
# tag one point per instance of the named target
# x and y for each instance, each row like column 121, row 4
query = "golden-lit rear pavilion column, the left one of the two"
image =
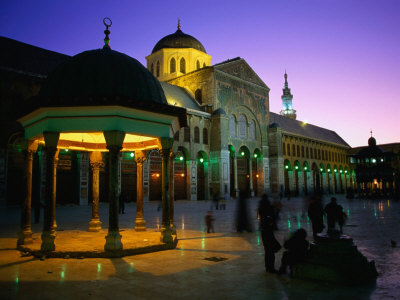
column 95, row 163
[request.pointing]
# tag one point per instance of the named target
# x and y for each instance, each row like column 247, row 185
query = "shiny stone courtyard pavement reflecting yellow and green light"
column 221, row 265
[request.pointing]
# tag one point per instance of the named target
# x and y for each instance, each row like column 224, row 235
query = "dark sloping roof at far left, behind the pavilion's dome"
column 27, row 59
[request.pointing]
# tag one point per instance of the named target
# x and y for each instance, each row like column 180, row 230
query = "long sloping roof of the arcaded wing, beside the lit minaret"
column 306, row 130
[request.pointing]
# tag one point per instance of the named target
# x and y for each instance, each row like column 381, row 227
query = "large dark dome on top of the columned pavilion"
column 101, row 77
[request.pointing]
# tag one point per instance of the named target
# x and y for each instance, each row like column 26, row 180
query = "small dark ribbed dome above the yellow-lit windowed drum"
column 179, row 40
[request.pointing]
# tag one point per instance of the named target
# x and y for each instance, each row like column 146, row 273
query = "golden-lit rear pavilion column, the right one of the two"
column 140, row 223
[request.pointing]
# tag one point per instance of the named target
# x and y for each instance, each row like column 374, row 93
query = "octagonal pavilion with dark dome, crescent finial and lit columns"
column 99, row 101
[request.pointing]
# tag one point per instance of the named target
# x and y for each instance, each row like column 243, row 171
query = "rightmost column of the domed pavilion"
column 166, row 232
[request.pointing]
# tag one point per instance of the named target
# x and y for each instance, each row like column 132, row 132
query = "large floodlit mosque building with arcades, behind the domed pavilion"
column 231, row 142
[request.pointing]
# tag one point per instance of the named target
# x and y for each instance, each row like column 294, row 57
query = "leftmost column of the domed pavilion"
column 25, row 235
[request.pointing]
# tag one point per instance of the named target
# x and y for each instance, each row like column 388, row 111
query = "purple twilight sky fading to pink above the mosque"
column 342, row 56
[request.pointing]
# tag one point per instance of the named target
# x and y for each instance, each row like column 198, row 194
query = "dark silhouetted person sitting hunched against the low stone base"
column 297, row 249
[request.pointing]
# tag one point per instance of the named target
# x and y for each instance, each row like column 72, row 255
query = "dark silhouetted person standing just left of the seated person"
column 266, row 213
